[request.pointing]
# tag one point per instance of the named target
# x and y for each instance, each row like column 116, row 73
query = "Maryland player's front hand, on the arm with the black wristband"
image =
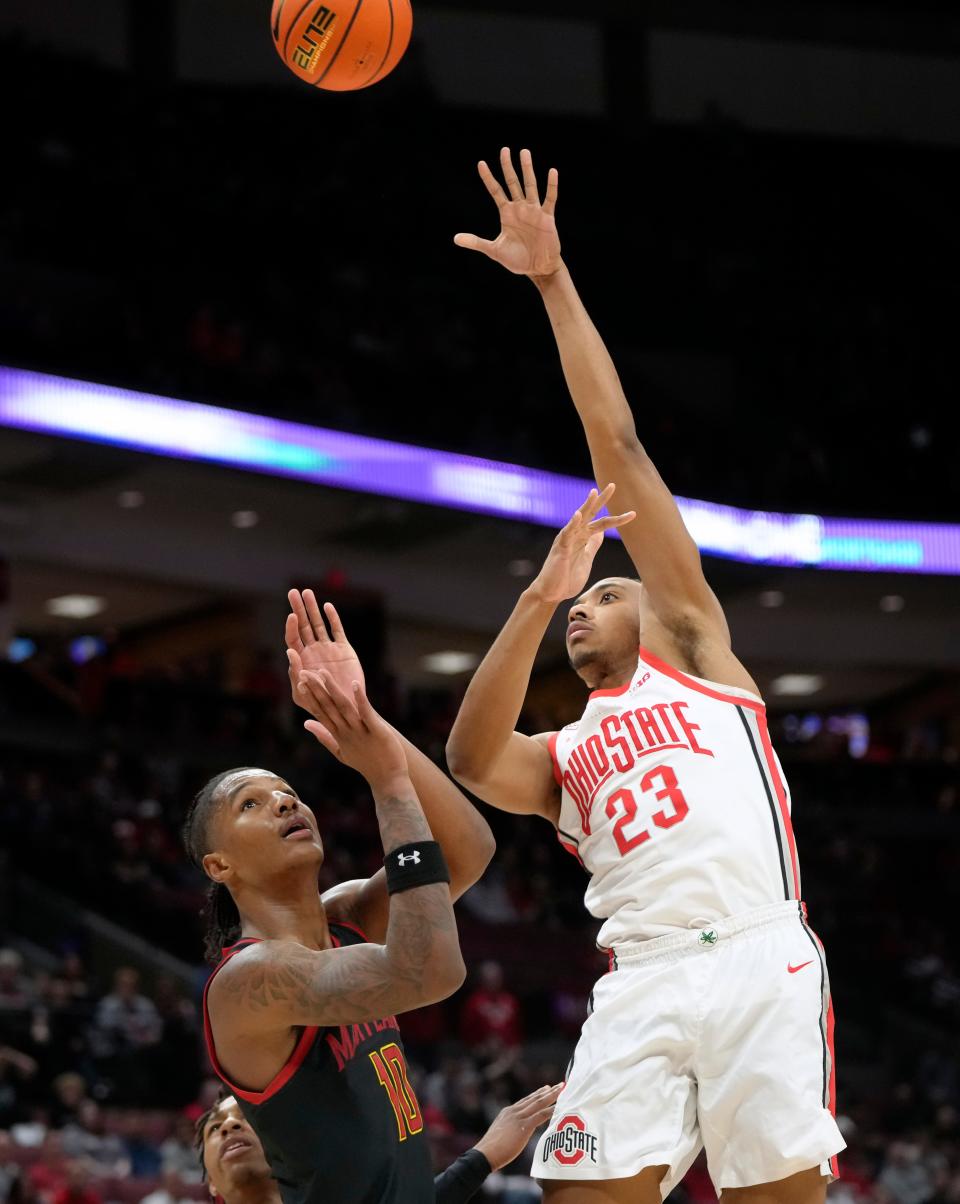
column 351, row 729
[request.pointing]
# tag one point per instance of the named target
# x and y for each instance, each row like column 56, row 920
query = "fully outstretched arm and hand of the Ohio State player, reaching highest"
column 658, row 542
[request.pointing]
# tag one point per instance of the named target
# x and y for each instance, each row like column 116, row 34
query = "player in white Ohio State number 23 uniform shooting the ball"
column 714, row 1029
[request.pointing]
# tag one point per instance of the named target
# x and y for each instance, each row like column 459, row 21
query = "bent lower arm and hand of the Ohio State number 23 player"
column 504, row 768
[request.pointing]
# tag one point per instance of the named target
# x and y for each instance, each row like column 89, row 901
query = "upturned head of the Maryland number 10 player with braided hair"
column 256, row 841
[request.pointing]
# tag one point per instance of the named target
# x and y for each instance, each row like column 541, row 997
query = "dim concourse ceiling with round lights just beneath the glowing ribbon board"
column 449, row 579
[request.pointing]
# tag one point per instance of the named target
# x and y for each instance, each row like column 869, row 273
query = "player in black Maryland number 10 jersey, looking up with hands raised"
column 301, row 1012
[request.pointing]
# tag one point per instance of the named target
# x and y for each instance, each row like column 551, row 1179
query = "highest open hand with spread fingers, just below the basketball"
column 528, row 244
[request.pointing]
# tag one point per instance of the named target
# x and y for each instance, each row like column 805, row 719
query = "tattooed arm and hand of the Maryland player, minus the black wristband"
column 282, row 984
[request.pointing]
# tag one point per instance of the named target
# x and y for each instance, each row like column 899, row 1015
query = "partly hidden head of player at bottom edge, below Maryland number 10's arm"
column 234, row 1162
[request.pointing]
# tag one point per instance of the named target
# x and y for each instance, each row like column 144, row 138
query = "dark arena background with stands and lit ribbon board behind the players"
column 759, row 203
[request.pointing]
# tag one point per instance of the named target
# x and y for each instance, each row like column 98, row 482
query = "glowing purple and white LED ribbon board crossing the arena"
column 78, row 410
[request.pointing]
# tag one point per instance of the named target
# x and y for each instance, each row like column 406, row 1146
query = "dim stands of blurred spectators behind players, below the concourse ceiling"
column 102, row 1069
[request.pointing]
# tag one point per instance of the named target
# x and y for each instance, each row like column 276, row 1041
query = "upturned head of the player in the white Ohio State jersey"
column 604, row 627
